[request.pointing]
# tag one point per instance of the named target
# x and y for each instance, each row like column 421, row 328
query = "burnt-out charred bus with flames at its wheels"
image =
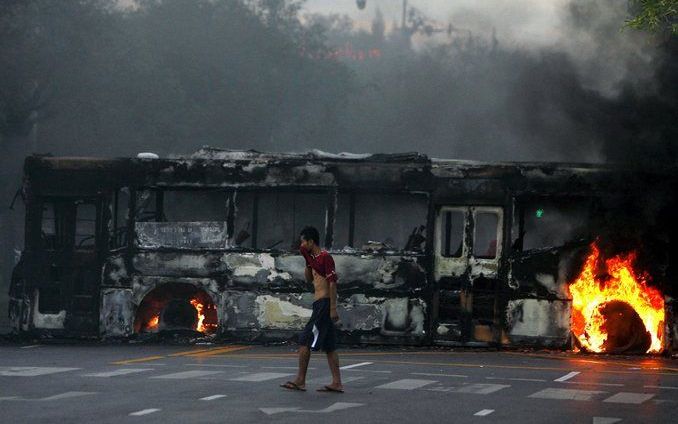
column 429, row 251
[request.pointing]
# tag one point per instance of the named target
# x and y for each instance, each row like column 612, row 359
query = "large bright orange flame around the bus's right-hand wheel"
column 589, row 295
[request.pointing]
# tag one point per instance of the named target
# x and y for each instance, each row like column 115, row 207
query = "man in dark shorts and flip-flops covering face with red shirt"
column 320, row 332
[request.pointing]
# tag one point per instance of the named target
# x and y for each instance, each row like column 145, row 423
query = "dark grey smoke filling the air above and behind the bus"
column 85, row 77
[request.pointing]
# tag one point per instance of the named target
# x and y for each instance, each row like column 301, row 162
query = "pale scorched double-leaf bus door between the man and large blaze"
column 467, row 249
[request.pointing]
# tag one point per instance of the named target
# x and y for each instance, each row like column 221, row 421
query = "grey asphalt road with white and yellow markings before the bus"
column 238, row 384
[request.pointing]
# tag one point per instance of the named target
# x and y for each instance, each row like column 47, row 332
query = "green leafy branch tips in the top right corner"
column 655, row 15
